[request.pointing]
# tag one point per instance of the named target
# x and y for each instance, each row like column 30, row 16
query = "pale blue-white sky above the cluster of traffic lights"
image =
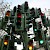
column 32, row 3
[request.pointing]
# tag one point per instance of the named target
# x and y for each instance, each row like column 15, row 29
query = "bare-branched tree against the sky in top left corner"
column 4, row 6
